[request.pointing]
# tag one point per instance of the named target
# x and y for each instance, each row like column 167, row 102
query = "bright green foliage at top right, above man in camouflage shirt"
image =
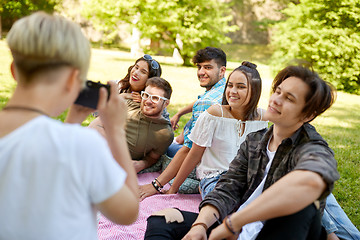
column 326, row 34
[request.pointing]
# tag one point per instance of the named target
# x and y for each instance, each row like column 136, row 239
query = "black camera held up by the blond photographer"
column 89, row 96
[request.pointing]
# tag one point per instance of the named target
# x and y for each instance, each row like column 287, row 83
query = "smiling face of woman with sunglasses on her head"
column 139, row 74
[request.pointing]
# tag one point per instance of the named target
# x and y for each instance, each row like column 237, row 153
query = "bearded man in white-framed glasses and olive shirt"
column 148, row 133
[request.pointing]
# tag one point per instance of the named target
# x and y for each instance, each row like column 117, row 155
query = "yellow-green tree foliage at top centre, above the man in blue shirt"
column 197, row 23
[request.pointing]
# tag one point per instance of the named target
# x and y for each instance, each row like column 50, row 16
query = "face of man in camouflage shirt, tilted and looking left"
column 287, row 103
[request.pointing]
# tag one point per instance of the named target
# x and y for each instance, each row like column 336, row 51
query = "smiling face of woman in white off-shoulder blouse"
column 237, row 91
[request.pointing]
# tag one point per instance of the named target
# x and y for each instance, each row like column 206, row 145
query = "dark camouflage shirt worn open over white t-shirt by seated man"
column 304, row 150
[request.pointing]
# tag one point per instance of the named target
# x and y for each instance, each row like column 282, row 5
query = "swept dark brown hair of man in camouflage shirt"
column 321, row 95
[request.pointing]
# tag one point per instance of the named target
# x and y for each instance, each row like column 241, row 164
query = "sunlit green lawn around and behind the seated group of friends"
column 340, row 125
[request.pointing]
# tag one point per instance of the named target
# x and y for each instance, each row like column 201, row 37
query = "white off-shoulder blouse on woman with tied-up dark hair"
column 222, row 138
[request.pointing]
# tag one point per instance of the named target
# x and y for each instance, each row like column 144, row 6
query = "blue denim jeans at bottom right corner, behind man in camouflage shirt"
column 335, row 220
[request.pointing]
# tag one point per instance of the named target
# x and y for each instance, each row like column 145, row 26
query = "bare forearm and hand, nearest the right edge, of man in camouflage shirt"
column 290, row 194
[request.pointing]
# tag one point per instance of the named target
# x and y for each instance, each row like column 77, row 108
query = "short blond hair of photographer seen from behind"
column 42, row 42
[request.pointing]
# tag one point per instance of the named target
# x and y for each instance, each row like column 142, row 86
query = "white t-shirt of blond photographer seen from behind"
column 51, row 175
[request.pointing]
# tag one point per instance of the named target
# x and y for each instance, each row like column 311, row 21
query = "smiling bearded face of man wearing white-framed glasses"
column 151, row 109
